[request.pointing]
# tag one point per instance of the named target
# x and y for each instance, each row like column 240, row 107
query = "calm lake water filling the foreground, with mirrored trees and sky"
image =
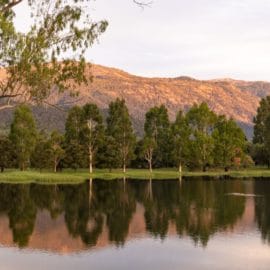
column 193, row 224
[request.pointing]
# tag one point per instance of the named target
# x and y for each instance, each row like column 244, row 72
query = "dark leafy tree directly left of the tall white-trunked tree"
column 74, row 157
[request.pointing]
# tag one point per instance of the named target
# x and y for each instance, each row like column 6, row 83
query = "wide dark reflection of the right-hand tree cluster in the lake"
column 197, row 208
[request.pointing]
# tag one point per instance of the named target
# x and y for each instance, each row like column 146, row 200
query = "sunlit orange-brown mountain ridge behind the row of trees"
column 234, row 98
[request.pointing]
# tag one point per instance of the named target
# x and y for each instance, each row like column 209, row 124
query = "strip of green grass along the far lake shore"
column 73, row 177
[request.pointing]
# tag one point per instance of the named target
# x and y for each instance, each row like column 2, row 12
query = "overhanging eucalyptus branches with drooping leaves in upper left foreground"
column 50, row 55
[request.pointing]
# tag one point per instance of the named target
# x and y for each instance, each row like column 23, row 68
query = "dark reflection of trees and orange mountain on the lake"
column 99, row 212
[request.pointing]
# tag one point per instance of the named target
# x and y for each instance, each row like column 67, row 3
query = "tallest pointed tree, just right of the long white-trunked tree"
column 119, row 127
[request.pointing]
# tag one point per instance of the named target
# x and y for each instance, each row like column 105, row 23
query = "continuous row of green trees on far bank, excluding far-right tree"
column 197, row 139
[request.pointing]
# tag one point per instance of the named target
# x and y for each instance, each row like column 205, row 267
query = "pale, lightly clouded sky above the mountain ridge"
column 204, row 39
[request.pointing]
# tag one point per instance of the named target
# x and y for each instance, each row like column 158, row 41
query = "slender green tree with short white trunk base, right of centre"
column 181, row 140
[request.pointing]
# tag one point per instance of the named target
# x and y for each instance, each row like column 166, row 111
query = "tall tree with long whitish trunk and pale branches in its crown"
column 92, row 131
